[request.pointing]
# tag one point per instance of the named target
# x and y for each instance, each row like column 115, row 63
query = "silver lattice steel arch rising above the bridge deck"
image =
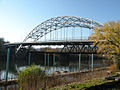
column 58, row 23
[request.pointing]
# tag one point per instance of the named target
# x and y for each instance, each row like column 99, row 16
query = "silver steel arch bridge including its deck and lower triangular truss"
column 57, row 23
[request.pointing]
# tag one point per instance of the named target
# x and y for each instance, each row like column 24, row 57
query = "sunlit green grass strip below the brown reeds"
column 82, row 85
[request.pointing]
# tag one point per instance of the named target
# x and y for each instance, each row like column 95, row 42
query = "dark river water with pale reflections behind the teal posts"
column 68, row 63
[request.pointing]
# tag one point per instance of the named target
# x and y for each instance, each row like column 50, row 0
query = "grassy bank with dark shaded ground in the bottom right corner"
column 95, row 84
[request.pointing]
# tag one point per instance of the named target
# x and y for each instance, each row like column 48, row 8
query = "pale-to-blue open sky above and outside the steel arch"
column 19, row 17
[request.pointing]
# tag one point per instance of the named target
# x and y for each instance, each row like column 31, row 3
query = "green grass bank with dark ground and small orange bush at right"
column 110, row 81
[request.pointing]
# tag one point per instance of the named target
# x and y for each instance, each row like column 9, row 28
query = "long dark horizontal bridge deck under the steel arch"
column 75, row 42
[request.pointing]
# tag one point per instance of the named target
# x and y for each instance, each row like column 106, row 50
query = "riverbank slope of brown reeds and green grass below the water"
column 72, row 80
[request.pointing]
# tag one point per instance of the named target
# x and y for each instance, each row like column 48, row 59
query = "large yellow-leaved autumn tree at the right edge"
column 107, row 39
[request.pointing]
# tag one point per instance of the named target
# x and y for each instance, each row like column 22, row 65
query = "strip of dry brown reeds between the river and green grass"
column 60, row 79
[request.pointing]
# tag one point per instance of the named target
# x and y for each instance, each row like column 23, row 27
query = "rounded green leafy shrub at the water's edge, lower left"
column 30, row 77
